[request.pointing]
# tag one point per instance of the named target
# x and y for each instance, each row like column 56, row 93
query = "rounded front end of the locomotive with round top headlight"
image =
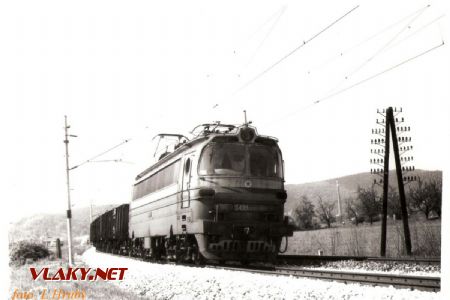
column 241, row 191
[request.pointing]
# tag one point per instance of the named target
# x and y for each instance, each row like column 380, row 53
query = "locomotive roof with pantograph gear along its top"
column 203, row 137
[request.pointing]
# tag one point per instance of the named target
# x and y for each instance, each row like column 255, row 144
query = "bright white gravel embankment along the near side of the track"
column 157, row 281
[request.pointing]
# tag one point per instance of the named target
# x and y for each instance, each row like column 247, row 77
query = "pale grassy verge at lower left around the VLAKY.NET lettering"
column 21, row 281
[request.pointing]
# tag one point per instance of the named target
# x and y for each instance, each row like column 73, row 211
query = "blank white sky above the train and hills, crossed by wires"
column 128, row 71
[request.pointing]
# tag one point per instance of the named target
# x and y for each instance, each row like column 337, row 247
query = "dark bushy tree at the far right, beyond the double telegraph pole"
column 426, row 196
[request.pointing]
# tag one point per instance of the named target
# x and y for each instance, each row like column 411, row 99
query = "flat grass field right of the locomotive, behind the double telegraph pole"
column 364, row 240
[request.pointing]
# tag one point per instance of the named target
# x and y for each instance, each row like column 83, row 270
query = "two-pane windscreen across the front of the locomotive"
column 240, row 159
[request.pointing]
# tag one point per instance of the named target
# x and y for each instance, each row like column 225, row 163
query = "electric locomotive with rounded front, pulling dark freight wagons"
column 219, row 196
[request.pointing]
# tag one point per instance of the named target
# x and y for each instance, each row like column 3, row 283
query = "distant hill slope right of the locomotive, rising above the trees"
column 347, row 186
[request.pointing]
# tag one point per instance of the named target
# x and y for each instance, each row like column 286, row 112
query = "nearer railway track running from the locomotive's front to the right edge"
column 425, row 283
